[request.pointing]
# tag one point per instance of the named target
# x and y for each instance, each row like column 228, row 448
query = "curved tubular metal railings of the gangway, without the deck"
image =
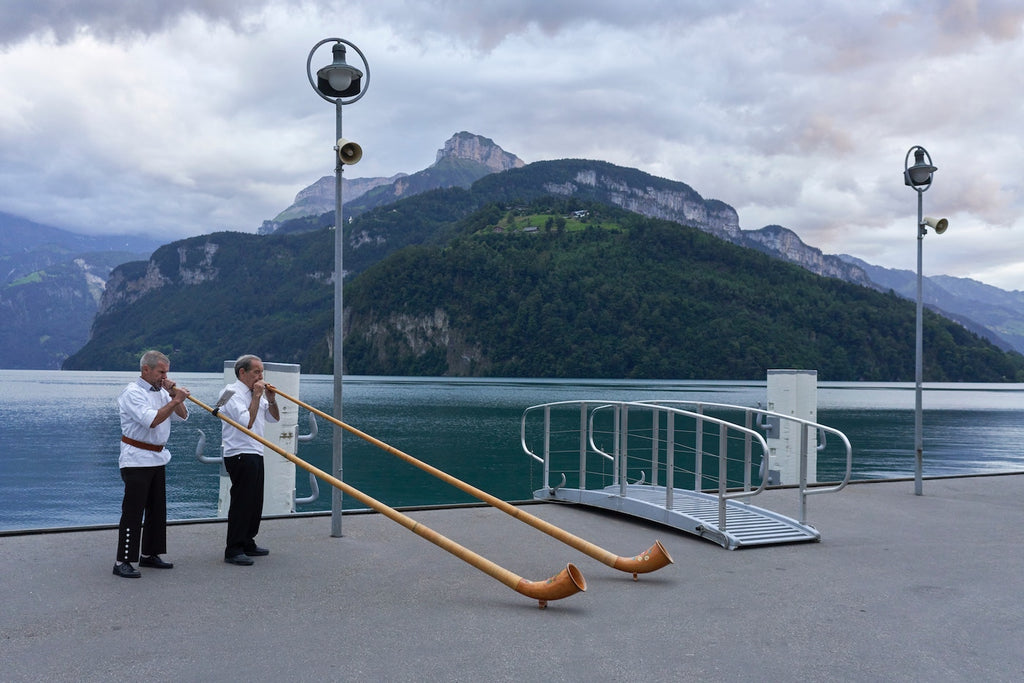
column 688, row 446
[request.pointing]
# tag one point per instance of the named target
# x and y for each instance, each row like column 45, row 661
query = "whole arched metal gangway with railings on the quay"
column 714, row 448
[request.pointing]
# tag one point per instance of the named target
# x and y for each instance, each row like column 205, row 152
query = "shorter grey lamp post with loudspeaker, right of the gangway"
column 919, row 179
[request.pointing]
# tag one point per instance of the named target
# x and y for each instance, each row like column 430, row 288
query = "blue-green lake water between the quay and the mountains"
column 60, row 433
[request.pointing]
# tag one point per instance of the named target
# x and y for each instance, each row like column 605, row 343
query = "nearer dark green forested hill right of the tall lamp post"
column 630, row 297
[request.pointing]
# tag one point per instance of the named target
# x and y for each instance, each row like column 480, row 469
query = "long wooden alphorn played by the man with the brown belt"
column 569, row 582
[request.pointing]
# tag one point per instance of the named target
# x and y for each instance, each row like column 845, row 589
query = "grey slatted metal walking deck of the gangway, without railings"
column 694, row 513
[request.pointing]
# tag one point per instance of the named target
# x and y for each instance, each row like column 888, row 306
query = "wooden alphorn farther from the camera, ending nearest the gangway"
column 652, row 560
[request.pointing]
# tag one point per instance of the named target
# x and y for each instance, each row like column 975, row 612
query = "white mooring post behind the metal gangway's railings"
column 793, row 393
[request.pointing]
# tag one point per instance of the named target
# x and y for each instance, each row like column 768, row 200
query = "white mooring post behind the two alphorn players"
column 279, row 486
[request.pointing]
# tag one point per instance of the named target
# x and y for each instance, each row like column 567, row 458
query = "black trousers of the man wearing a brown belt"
column 146, row 497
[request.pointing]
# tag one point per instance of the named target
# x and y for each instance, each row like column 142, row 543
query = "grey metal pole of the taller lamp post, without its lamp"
column 336, row 497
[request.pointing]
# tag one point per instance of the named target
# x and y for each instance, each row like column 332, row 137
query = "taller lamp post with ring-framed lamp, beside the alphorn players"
column 340, row 84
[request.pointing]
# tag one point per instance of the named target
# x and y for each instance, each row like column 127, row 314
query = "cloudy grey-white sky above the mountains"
column 176, row 118
